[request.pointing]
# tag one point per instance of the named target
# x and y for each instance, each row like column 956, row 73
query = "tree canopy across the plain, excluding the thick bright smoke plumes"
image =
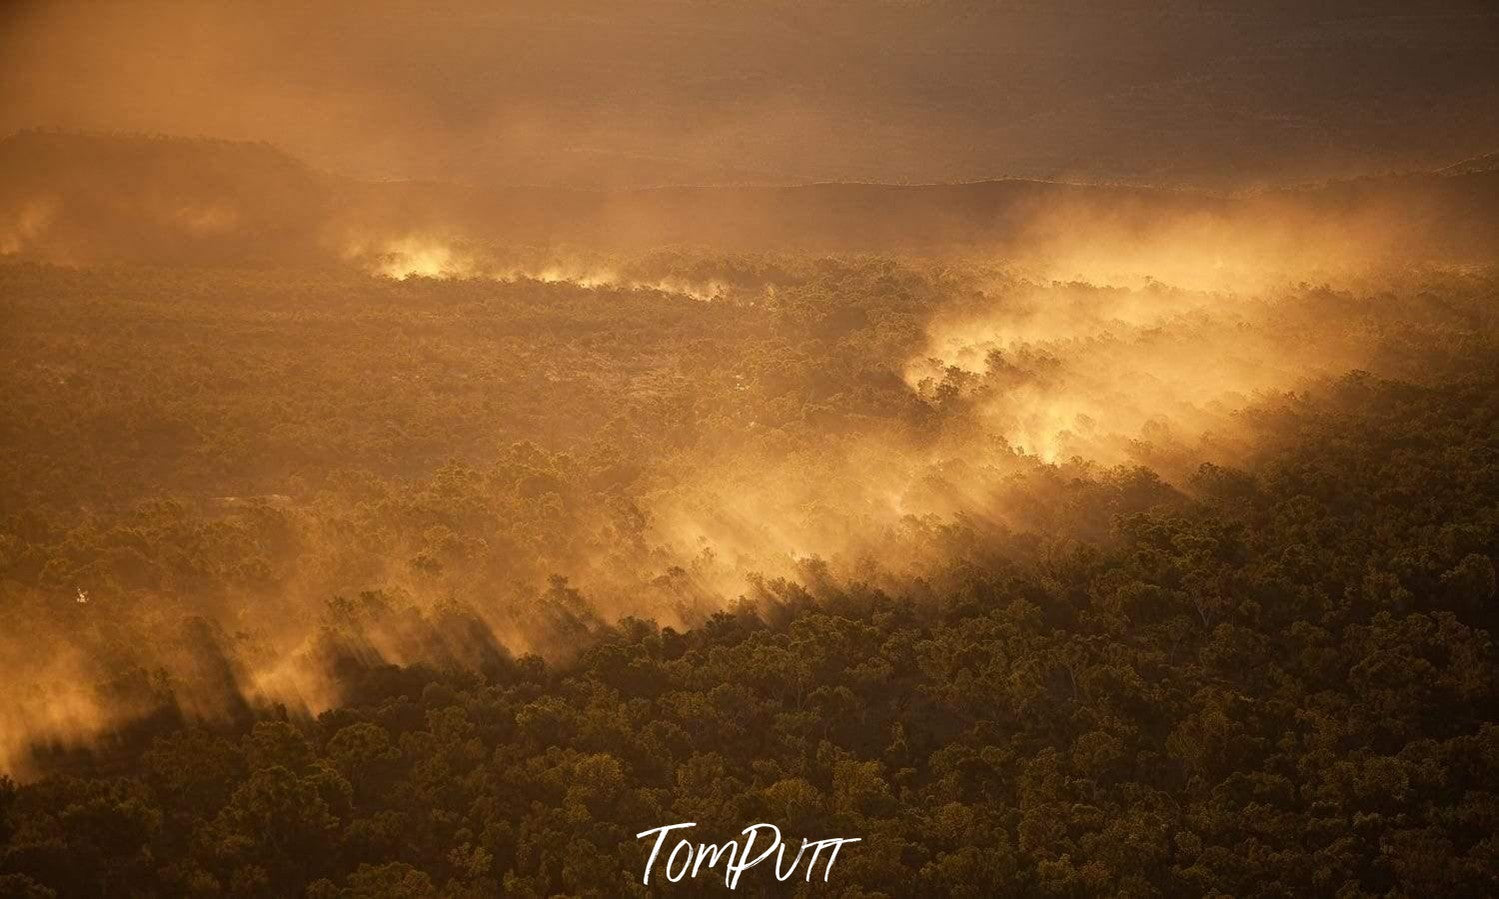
column 1273, row 679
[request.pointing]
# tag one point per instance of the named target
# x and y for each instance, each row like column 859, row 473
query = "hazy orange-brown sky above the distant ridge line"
column 701, row 91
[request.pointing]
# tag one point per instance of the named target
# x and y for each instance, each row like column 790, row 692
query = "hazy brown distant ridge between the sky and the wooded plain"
column 88, row 199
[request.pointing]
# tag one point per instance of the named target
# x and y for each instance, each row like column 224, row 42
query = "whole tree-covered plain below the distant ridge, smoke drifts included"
column 340, row 585
